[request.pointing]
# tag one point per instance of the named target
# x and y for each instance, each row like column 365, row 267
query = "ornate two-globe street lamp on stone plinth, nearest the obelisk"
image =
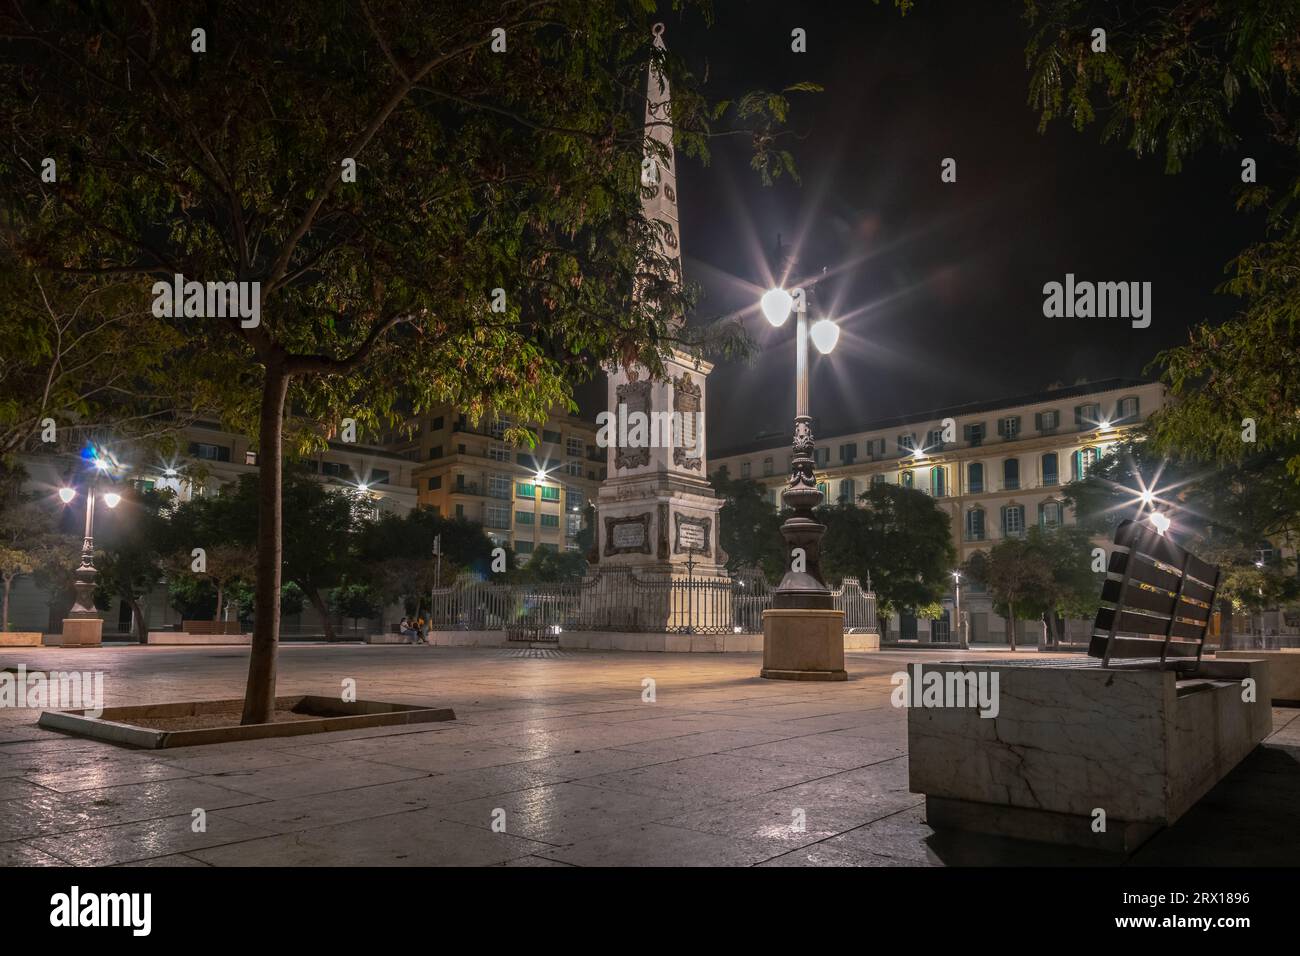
column 803, row 633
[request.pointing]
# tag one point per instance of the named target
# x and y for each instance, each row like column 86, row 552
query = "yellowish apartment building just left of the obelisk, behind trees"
column 526, row 498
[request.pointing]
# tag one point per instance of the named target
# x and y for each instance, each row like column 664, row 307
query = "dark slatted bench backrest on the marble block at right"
column 1158, row 600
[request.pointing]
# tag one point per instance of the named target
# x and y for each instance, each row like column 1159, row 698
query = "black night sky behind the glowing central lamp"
column 939, row 285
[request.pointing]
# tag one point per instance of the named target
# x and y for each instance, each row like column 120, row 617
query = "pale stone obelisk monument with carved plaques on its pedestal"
column 657, row 512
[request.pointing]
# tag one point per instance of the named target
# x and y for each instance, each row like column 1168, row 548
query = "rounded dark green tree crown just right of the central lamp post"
column 900, row 538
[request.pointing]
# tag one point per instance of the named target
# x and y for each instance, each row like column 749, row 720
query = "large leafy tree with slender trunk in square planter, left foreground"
column 220, row 144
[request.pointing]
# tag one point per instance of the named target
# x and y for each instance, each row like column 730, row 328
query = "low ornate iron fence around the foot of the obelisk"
column 627, row 602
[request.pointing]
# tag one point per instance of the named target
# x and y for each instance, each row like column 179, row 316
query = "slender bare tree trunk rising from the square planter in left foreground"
column 261, row 694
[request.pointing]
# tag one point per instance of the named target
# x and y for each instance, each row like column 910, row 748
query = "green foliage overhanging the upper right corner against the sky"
column 1173, row 77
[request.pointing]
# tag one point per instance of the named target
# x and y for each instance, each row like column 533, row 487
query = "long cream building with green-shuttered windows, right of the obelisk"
column 995, row 468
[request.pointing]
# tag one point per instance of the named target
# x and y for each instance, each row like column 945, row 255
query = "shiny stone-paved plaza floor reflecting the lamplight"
column 556, row 759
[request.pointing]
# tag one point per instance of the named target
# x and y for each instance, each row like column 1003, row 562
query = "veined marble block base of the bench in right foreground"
column 1081, row 755
